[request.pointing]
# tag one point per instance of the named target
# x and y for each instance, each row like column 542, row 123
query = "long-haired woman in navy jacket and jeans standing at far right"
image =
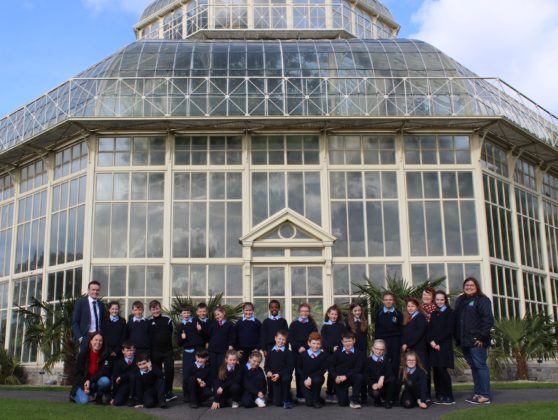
column 473, row 322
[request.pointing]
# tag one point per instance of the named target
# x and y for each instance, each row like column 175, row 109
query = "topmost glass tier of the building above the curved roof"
column 266, row 19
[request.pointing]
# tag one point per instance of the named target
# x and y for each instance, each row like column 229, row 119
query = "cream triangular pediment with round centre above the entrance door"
column 288, row 226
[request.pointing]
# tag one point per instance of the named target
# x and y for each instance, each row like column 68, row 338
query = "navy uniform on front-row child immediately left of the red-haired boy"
column 279, row 361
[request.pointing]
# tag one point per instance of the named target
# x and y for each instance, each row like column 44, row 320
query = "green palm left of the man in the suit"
column 49, row 327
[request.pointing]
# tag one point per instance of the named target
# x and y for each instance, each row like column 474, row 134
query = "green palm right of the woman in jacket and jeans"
column 531, row 337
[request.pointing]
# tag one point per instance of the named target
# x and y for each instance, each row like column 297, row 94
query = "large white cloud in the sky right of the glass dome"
column 511, row 39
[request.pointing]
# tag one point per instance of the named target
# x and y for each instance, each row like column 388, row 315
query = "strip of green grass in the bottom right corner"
column 530, row 410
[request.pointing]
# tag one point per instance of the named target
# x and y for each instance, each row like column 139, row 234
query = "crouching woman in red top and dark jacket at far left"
column 91, row 380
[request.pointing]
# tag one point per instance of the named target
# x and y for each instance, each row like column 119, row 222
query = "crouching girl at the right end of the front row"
column 413, row 382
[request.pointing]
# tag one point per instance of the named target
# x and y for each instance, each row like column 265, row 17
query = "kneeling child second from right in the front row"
column 380, row 379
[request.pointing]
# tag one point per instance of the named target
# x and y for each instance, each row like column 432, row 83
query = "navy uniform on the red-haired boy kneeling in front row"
column 312, row 365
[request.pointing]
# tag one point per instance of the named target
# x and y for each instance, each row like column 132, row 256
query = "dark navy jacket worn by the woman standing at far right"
column 473, row 320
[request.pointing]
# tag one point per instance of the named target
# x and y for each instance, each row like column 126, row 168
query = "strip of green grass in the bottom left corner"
column 39, row 410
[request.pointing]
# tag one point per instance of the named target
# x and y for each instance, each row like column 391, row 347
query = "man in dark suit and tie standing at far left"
column 88, row 315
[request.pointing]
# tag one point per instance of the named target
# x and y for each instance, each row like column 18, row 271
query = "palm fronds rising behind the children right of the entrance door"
column 371, row 293
